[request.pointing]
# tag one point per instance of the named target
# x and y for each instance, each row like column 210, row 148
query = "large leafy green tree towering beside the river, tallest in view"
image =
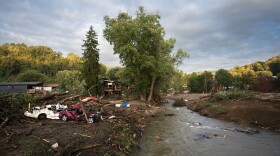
column 141, row 47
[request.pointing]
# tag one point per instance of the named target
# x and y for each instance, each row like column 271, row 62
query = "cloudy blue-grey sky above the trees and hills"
column 216, row 33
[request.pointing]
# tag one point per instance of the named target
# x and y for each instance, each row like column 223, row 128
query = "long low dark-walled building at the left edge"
column 20, row 87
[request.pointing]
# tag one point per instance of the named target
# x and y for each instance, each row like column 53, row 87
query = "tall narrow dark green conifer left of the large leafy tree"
column 91, row 67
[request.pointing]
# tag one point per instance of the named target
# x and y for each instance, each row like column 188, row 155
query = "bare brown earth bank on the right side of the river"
column 256, row 109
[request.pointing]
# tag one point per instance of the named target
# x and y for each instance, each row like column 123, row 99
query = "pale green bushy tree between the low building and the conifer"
column 71, row 81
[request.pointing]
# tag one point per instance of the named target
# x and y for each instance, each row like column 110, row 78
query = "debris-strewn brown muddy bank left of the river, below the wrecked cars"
column 116, row 136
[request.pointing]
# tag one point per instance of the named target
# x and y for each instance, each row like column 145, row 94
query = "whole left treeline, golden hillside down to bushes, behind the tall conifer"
column 20, row 62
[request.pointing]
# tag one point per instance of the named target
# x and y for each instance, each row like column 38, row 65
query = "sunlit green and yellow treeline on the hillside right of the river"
column 241, row 77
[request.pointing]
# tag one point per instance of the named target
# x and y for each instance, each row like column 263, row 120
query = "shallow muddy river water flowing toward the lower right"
column 189, row 134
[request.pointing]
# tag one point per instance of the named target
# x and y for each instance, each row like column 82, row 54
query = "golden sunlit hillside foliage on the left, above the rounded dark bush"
column 17, row 58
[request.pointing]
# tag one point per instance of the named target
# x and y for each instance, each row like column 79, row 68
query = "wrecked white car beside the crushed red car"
column 43, row 112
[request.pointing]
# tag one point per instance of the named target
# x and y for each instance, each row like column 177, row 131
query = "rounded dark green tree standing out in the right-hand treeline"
column 223, row 77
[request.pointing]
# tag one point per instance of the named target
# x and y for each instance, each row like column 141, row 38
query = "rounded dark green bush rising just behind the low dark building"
column 32, row 76
